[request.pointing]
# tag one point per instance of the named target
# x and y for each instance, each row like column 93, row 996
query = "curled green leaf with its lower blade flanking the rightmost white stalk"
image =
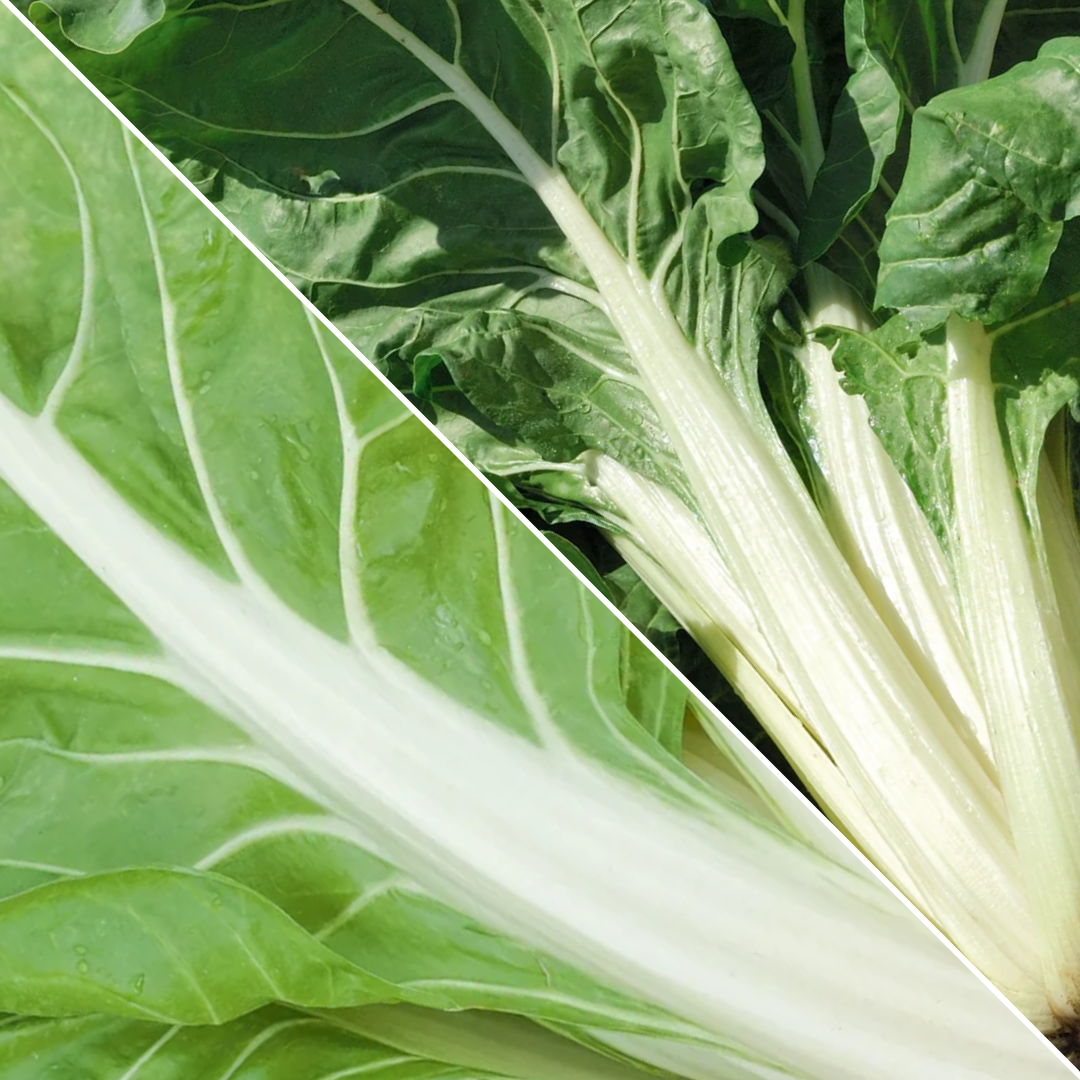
column 979, row 228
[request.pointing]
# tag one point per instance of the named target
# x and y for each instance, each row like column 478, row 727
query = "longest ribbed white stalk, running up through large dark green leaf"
column 856, row 688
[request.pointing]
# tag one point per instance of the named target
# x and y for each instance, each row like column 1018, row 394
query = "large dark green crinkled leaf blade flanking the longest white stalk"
column 406, row 221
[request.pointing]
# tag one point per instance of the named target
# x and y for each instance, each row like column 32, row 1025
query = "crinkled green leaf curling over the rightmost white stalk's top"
column 994, row 172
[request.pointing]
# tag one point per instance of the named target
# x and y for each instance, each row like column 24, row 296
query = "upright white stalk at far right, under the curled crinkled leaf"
column 1012, row 623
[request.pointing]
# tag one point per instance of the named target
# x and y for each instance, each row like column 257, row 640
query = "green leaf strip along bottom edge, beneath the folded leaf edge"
column 276, row 1044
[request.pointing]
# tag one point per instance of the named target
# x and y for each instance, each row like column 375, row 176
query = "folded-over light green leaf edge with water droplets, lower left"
column 110, row 943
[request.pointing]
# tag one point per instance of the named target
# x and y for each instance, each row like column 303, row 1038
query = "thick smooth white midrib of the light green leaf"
column 726, row 927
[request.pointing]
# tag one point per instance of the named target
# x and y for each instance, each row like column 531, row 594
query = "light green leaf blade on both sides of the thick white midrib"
column 140, row 822
